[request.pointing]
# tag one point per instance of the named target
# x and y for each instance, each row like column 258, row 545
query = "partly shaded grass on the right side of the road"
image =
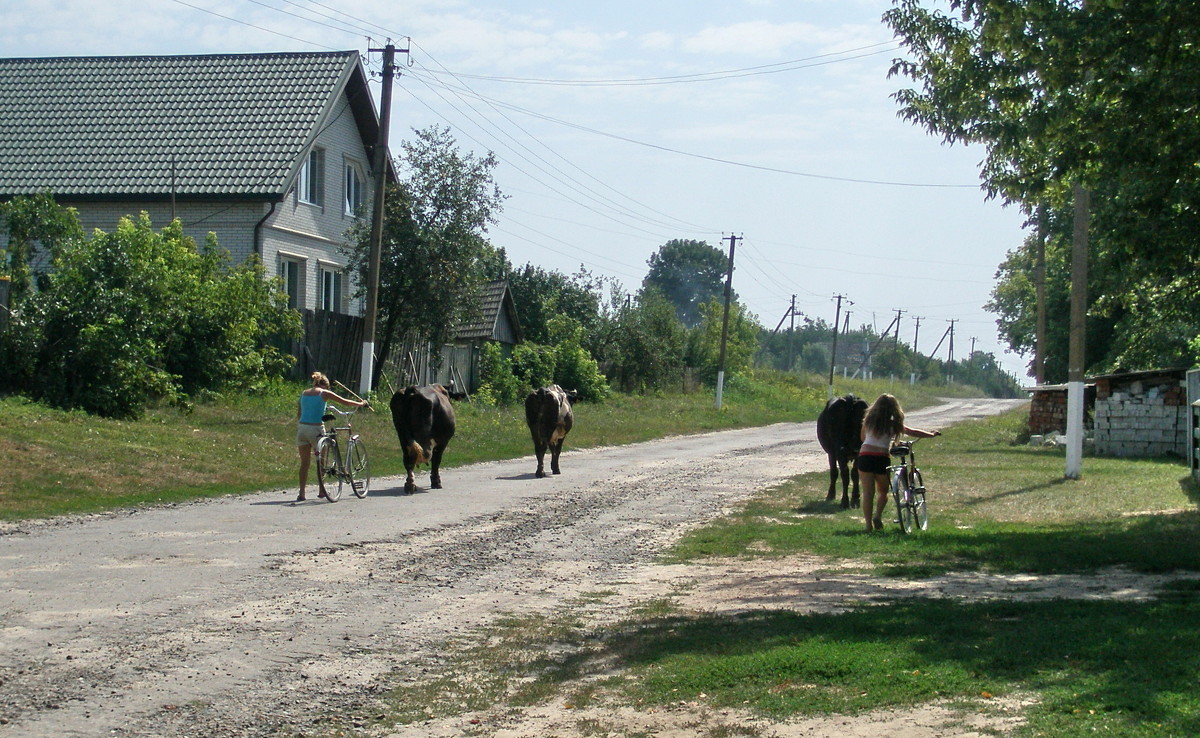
column 1072, row 667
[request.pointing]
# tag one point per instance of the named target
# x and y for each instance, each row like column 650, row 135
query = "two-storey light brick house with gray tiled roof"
column 269, row 152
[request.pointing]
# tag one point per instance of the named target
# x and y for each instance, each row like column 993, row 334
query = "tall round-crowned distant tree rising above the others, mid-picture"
column 689, row 274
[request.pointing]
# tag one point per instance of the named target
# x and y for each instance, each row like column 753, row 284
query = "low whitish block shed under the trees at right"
column 1143, row 415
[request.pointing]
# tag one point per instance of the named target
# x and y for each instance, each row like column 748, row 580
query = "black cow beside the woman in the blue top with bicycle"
column 425, row 423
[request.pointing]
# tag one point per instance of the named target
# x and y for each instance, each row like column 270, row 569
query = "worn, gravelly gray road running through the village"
column 245, row 616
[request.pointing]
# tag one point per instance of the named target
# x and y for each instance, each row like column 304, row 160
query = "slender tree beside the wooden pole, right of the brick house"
column 434, row 255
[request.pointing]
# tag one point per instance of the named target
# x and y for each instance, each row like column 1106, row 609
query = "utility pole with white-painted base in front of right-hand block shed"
column 1076, row 358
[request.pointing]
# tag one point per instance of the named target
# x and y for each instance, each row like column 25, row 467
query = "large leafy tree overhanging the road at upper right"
column 1102, row 94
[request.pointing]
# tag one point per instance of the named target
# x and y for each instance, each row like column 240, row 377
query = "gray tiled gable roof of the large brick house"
column 235, row 125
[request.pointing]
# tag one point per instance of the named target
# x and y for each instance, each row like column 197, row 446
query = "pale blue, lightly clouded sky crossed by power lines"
column 620, row 127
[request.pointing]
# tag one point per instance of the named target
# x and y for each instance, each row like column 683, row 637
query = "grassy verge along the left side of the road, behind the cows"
column 61, row 463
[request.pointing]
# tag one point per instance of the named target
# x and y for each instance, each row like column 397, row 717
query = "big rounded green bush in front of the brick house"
column 136, row 316
